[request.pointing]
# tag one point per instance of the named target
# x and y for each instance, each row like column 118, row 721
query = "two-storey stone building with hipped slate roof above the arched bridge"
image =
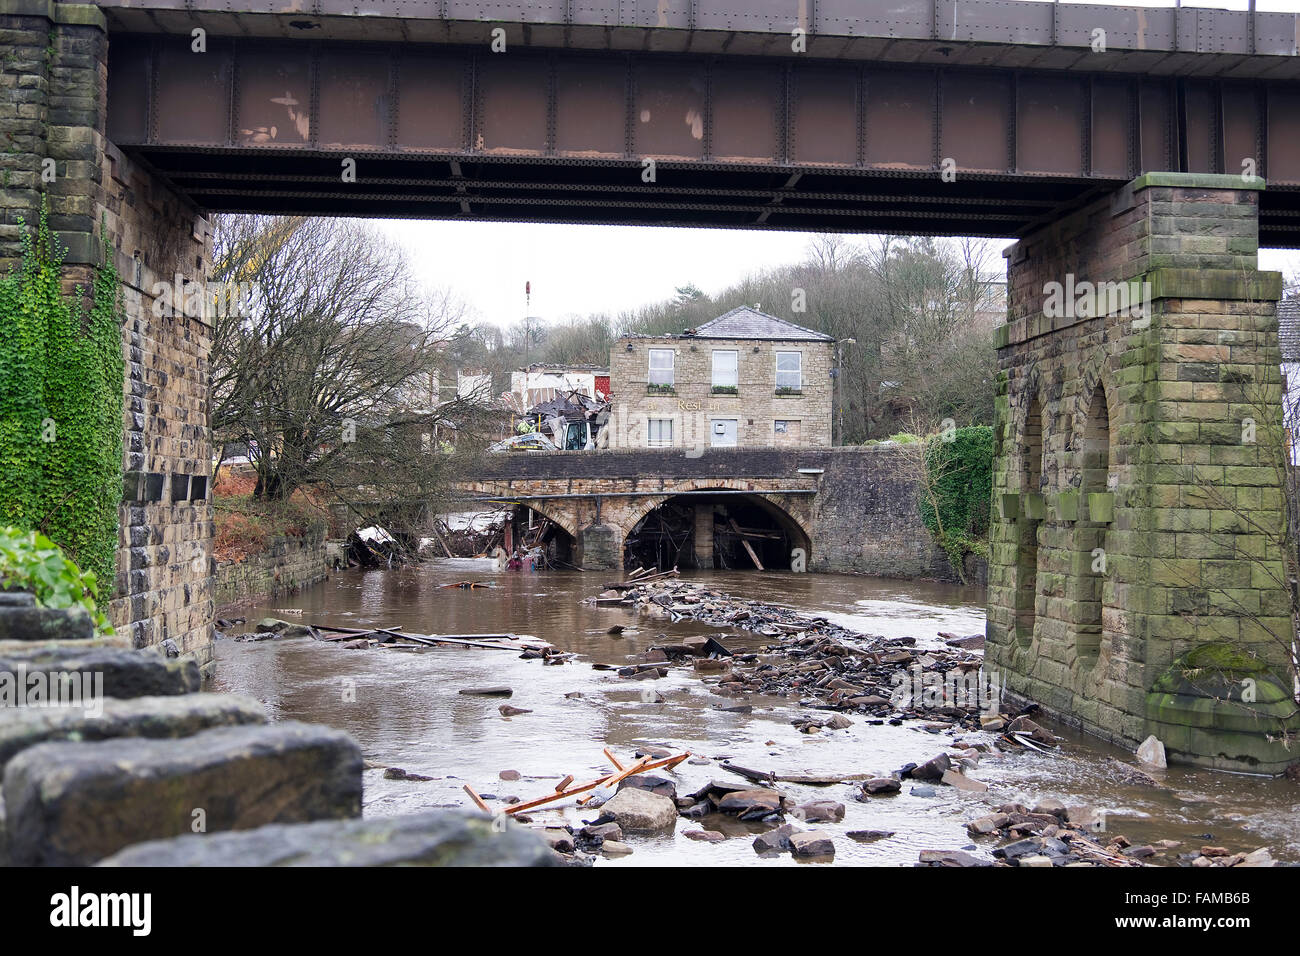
column 746, row 379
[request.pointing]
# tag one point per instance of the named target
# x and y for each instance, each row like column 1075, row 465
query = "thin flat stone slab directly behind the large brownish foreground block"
column 138, row 717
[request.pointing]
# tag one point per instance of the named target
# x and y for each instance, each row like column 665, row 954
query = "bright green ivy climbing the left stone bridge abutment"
column 62, row 377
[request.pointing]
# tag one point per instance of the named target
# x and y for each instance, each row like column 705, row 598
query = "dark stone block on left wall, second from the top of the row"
column 115, row 672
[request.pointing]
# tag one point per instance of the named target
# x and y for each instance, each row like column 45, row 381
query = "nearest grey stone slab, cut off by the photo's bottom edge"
column 435, row 838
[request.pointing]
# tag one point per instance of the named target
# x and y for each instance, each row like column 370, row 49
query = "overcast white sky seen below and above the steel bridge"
column 582, row 270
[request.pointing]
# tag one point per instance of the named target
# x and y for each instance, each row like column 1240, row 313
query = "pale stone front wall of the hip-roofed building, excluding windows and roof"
column 757, row 406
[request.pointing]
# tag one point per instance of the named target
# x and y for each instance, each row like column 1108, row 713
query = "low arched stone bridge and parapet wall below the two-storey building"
column 851, row 509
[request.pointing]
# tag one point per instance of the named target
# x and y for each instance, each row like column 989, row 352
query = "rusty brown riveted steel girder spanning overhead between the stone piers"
column 565, row 136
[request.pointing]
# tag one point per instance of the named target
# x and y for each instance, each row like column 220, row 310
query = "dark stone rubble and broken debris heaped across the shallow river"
column 835, row 678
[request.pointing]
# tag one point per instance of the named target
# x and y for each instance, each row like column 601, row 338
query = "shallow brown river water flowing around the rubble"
column 405, row 711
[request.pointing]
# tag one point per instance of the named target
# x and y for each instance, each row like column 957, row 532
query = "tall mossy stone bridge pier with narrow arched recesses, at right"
column 1138, row 581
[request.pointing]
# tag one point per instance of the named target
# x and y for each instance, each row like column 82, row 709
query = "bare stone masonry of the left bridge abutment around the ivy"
column 54, row 77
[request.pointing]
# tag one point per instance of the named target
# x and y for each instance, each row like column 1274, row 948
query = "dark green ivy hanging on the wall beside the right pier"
column 957, row 492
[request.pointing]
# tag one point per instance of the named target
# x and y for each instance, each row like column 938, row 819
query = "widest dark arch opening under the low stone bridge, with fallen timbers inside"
column 730, row 533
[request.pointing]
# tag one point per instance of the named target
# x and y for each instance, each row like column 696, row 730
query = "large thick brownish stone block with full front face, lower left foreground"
column 71, row 804
